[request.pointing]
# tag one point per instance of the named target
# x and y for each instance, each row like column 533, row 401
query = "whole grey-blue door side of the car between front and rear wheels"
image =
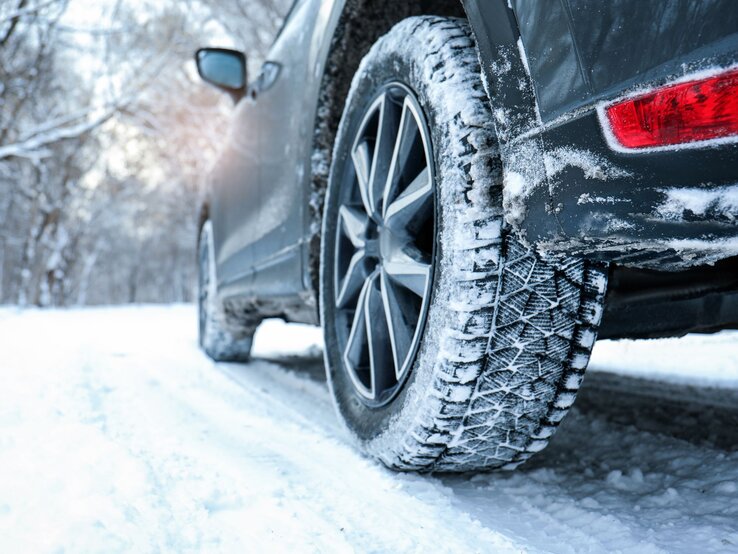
column 263, row 254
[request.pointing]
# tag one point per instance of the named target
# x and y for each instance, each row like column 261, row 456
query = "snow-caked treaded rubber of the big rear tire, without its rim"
column 508, row 336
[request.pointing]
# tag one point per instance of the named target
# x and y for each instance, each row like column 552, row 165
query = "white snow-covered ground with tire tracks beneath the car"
column 117, row 434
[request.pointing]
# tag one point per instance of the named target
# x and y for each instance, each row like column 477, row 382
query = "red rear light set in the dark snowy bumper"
column 692, row 111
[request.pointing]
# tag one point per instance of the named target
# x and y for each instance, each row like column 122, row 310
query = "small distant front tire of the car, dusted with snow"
column 222, row 341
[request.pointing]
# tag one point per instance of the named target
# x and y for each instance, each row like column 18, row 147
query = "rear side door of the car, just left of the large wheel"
column 285, row 141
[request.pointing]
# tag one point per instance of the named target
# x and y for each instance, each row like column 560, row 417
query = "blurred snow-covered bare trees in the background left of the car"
column 101, row 170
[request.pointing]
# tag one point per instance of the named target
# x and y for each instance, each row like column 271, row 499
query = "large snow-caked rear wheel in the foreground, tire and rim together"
column 503, row 338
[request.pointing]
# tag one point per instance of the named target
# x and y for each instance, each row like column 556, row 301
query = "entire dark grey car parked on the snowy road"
column 465, row 195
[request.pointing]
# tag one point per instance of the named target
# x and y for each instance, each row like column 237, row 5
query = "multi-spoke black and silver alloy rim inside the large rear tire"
column 385, row 245
